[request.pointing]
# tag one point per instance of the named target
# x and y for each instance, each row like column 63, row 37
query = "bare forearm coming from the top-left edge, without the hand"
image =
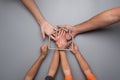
column 32, row 7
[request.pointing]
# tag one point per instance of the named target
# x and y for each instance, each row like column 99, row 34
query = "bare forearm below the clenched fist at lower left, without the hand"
column 34, row 69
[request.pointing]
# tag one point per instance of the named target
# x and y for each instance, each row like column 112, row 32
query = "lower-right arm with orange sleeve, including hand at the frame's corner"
column 82, row 62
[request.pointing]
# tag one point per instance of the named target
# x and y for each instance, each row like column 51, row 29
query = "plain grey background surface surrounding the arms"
column 20, row 38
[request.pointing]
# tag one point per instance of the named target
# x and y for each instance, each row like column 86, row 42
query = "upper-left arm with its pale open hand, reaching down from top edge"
column 46, row 28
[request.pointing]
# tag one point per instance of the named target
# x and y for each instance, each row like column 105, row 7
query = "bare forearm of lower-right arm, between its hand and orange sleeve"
column 83, row 63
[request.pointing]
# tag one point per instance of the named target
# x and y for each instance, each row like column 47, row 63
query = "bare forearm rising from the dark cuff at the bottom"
column 54, row 64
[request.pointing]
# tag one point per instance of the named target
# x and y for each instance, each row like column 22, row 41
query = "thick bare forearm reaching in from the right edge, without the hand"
column 99, row 21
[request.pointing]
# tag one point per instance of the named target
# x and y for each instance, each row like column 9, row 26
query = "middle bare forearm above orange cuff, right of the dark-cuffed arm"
column 64, row 63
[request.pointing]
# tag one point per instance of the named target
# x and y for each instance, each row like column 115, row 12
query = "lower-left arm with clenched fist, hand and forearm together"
column 30, row 75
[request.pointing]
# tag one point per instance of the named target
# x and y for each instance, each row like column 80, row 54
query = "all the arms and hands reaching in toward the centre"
column 61, row 37
